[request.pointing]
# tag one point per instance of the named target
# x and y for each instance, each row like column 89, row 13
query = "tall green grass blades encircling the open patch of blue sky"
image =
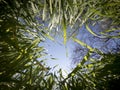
column 20, row 36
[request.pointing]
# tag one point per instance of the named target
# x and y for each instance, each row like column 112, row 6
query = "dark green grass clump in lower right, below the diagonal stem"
column 96, row 75
